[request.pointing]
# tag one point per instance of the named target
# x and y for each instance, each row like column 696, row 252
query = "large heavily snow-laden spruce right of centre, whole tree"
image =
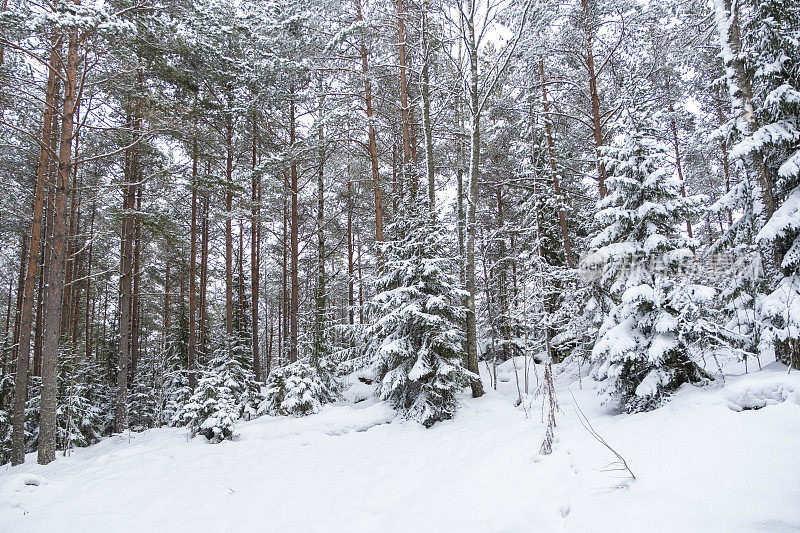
column 641, row 351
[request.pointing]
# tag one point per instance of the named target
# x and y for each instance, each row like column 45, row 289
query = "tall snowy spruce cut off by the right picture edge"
column 773, row 40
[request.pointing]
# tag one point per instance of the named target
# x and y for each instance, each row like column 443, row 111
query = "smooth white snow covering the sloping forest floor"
column 719, row 458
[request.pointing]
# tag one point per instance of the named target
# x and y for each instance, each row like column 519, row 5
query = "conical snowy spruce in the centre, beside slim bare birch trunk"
column 416, row 335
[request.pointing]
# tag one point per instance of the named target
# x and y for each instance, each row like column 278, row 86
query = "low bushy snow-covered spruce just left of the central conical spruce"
column 298, row 389
